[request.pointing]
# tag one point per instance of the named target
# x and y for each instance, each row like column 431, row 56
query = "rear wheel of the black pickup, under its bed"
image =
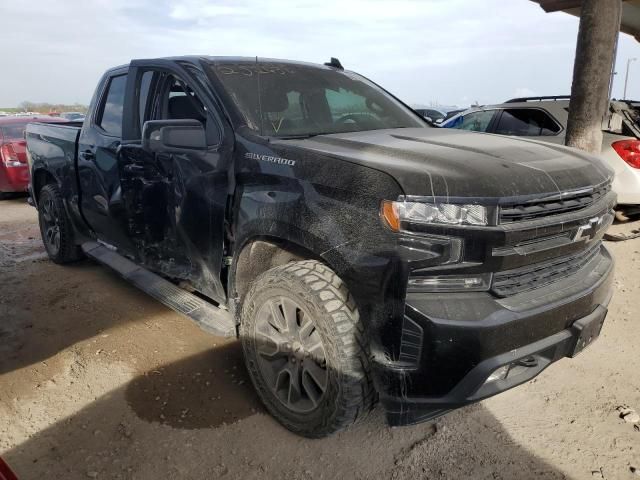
column 55, row 227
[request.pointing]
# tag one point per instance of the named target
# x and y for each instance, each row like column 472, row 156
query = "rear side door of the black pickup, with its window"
column 100, row 192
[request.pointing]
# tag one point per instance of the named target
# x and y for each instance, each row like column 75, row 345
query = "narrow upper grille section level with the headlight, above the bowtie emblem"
column 552, row 206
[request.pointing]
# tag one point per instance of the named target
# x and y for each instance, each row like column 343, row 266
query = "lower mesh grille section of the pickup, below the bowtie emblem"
column 521, row 280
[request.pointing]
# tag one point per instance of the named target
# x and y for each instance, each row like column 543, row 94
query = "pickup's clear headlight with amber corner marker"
column 394, row 213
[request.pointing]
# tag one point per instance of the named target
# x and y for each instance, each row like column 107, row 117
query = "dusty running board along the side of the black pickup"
column 209, row 317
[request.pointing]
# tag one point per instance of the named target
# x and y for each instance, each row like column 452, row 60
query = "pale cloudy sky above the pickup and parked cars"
column 448, row 52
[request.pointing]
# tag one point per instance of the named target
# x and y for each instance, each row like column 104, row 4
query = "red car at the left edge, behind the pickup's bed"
column 14, row 172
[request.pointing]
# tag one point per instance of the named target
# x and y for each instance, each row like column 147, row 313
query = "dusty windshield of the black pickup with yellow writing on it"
column 300, row 100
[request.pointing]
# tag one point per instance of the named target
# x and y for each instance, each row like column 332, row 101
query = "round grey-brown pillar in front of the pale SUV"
column 599, row 27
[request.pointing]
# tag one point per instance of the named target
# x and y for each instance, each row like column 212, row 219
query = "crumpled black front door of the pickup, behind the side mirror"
column 175, row 196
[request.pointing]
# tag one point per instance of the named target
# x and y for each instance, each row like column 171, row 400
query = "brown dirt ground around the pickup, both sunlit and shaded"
column 98, row 380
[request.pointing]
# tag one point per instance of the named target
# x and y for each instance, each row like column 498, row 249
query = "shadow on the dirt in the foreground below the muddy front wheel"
column 178, row 422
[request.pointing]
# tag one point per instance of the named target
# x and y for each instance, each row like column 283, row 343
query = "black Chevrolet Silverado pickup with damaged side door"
column 359, row 254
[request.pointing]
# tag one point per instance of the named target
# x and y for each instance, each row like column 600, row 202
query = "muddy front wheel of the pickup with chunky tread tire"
column 322, row 299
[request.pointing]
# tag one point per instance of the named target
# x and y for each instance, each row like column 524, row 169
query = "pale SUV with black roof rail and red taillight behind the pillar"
column 545, row 118
